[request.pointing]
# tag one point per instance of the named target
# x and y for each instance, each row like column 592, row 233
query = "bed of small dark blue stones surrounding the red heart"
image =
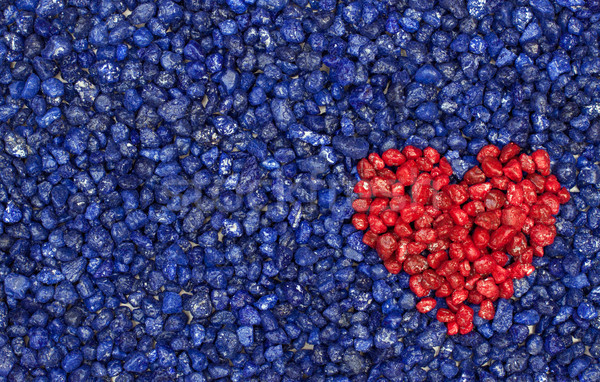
column 176, row 182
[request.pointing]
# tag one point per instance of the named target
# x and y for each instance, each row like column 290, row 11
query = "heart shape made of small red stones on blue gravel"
column 464, row 241
